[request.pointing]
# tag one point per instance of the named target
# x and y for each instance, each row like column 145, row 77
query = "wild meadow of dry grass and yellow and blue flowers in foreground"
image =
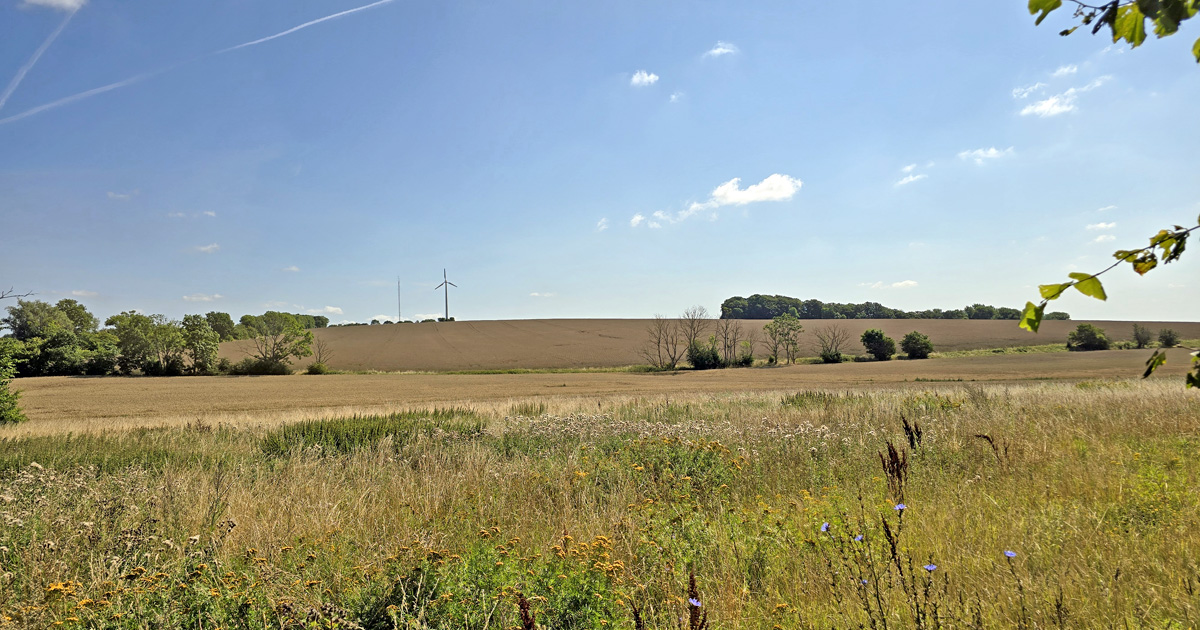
column 1054, row 506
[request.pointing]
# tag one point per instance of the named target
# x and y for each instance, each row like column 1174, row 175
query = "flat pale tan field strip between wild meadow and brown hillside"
column 62, row 405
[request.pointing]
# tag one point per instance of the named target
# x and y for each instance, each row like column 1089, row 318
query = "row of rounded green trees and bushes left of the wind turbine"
column 65, row 339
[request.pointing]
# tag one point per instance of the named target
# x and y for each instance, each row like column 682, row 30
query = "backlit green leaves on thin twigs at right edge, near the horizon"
column 1165, row 248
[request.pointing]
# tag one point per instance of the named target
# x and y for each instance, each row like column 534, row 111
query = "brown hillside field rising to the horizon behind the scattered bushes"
column 568, row 344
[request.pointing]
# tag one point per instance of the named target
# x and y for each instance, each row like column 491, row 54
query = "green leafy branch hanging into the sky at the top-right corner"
column 1126, row 20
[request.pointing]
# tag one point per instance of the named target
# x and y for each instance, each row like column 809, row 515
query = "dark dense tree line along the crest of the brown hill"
column 772, row 307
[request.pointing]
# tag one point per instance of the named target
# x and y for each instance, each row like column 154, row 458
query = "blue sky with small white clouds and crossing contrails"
column 585, row 160
